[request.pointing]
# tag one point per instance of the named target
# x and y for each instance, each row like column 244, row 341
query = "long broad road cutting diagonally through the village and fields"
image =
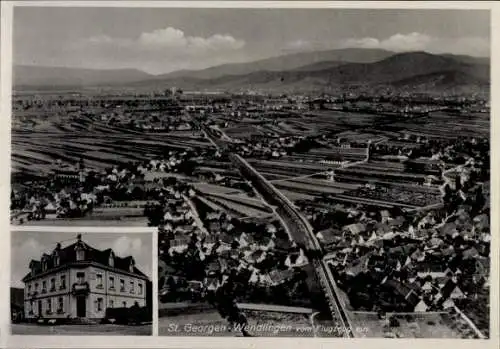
column 301, row 231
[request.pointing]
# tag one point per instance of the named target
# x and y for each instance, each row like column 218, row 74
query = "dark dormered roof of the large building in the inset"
column 68, row 255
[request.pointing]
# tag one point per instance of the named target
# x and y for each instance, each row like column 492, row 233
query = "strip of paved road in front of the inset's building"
column 70, row 330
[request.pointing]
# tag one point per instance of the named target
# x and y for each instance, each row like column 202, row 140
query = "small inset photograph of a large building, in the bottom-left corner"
column 81, row 283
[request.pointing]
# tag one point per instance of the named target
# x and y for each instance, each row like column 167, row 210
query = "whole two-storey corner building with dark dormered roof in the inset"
column 79, row 281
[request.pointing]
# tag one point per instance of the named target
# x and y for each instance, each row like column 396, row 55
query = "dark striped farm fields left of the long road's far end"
column 100, row 146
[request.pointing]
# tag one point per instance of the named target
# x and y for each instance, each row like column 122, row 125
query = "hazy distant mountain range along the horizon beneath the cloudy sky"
column 309, row 71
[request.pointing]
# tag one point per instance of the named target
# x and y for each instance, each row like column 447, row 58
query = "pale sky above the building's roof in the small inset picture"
column 31, row 245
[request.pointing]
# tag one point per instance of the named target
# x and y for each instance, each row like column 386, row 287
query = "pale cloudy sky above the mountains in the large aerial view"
column 161, row 40
